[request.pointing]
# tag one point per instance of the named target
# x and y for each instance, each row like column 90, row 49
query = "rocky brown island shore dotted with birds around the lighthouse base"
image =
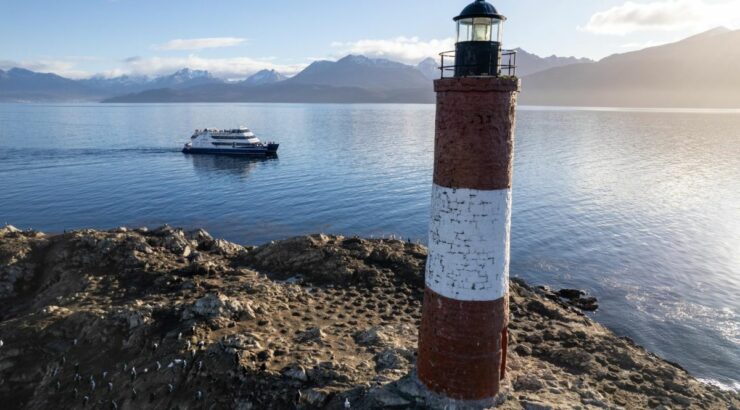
column 167, row 319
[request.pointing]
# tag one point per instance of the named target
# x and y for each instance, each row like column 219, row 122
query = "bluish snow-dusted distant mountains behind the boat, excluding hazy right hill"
column 353, row 78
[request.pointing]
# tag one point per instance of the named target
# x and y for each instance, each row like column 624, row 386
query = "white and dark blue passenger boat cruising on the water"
column 238, row 141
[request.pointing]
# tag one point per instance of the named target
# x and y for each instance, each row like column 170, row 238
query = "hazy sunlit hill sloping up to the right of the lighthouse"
column 701, row 72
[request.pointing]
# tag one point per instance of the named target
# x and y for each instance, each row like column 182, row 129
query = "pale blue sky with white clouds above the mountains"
column 235, row 38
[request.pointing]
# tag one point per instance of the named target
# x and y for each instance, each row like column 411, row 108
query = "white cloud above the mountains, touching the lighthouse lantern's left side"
column 409, row 50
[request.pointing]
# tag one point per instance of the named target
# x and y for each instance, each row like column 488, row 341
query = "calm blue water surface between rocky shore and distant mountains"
column 642, row 209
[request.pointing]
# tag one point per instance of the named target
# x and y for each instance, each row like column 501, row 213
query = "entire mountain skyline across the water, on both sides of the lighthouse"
column 700, row 71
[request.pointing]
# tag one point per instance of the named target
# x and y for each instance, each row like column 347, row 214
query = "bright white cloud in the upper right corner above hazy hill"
column 664, row 15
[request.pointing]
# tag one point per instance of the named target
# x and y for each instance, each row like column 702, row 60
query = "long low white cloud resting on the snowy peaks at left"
column 229, row 68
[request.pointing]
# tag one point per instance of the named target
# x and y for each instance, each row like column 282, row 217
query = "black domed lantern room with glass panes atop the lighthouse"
column 479, row 38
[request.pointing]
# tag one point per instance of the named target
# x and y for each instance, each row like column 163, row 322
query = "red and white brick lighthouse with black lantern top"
column 463, row 336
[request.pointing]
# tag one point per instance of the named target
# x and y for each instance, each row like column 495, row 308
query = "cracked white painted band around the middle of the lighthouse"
column 469, row 243
